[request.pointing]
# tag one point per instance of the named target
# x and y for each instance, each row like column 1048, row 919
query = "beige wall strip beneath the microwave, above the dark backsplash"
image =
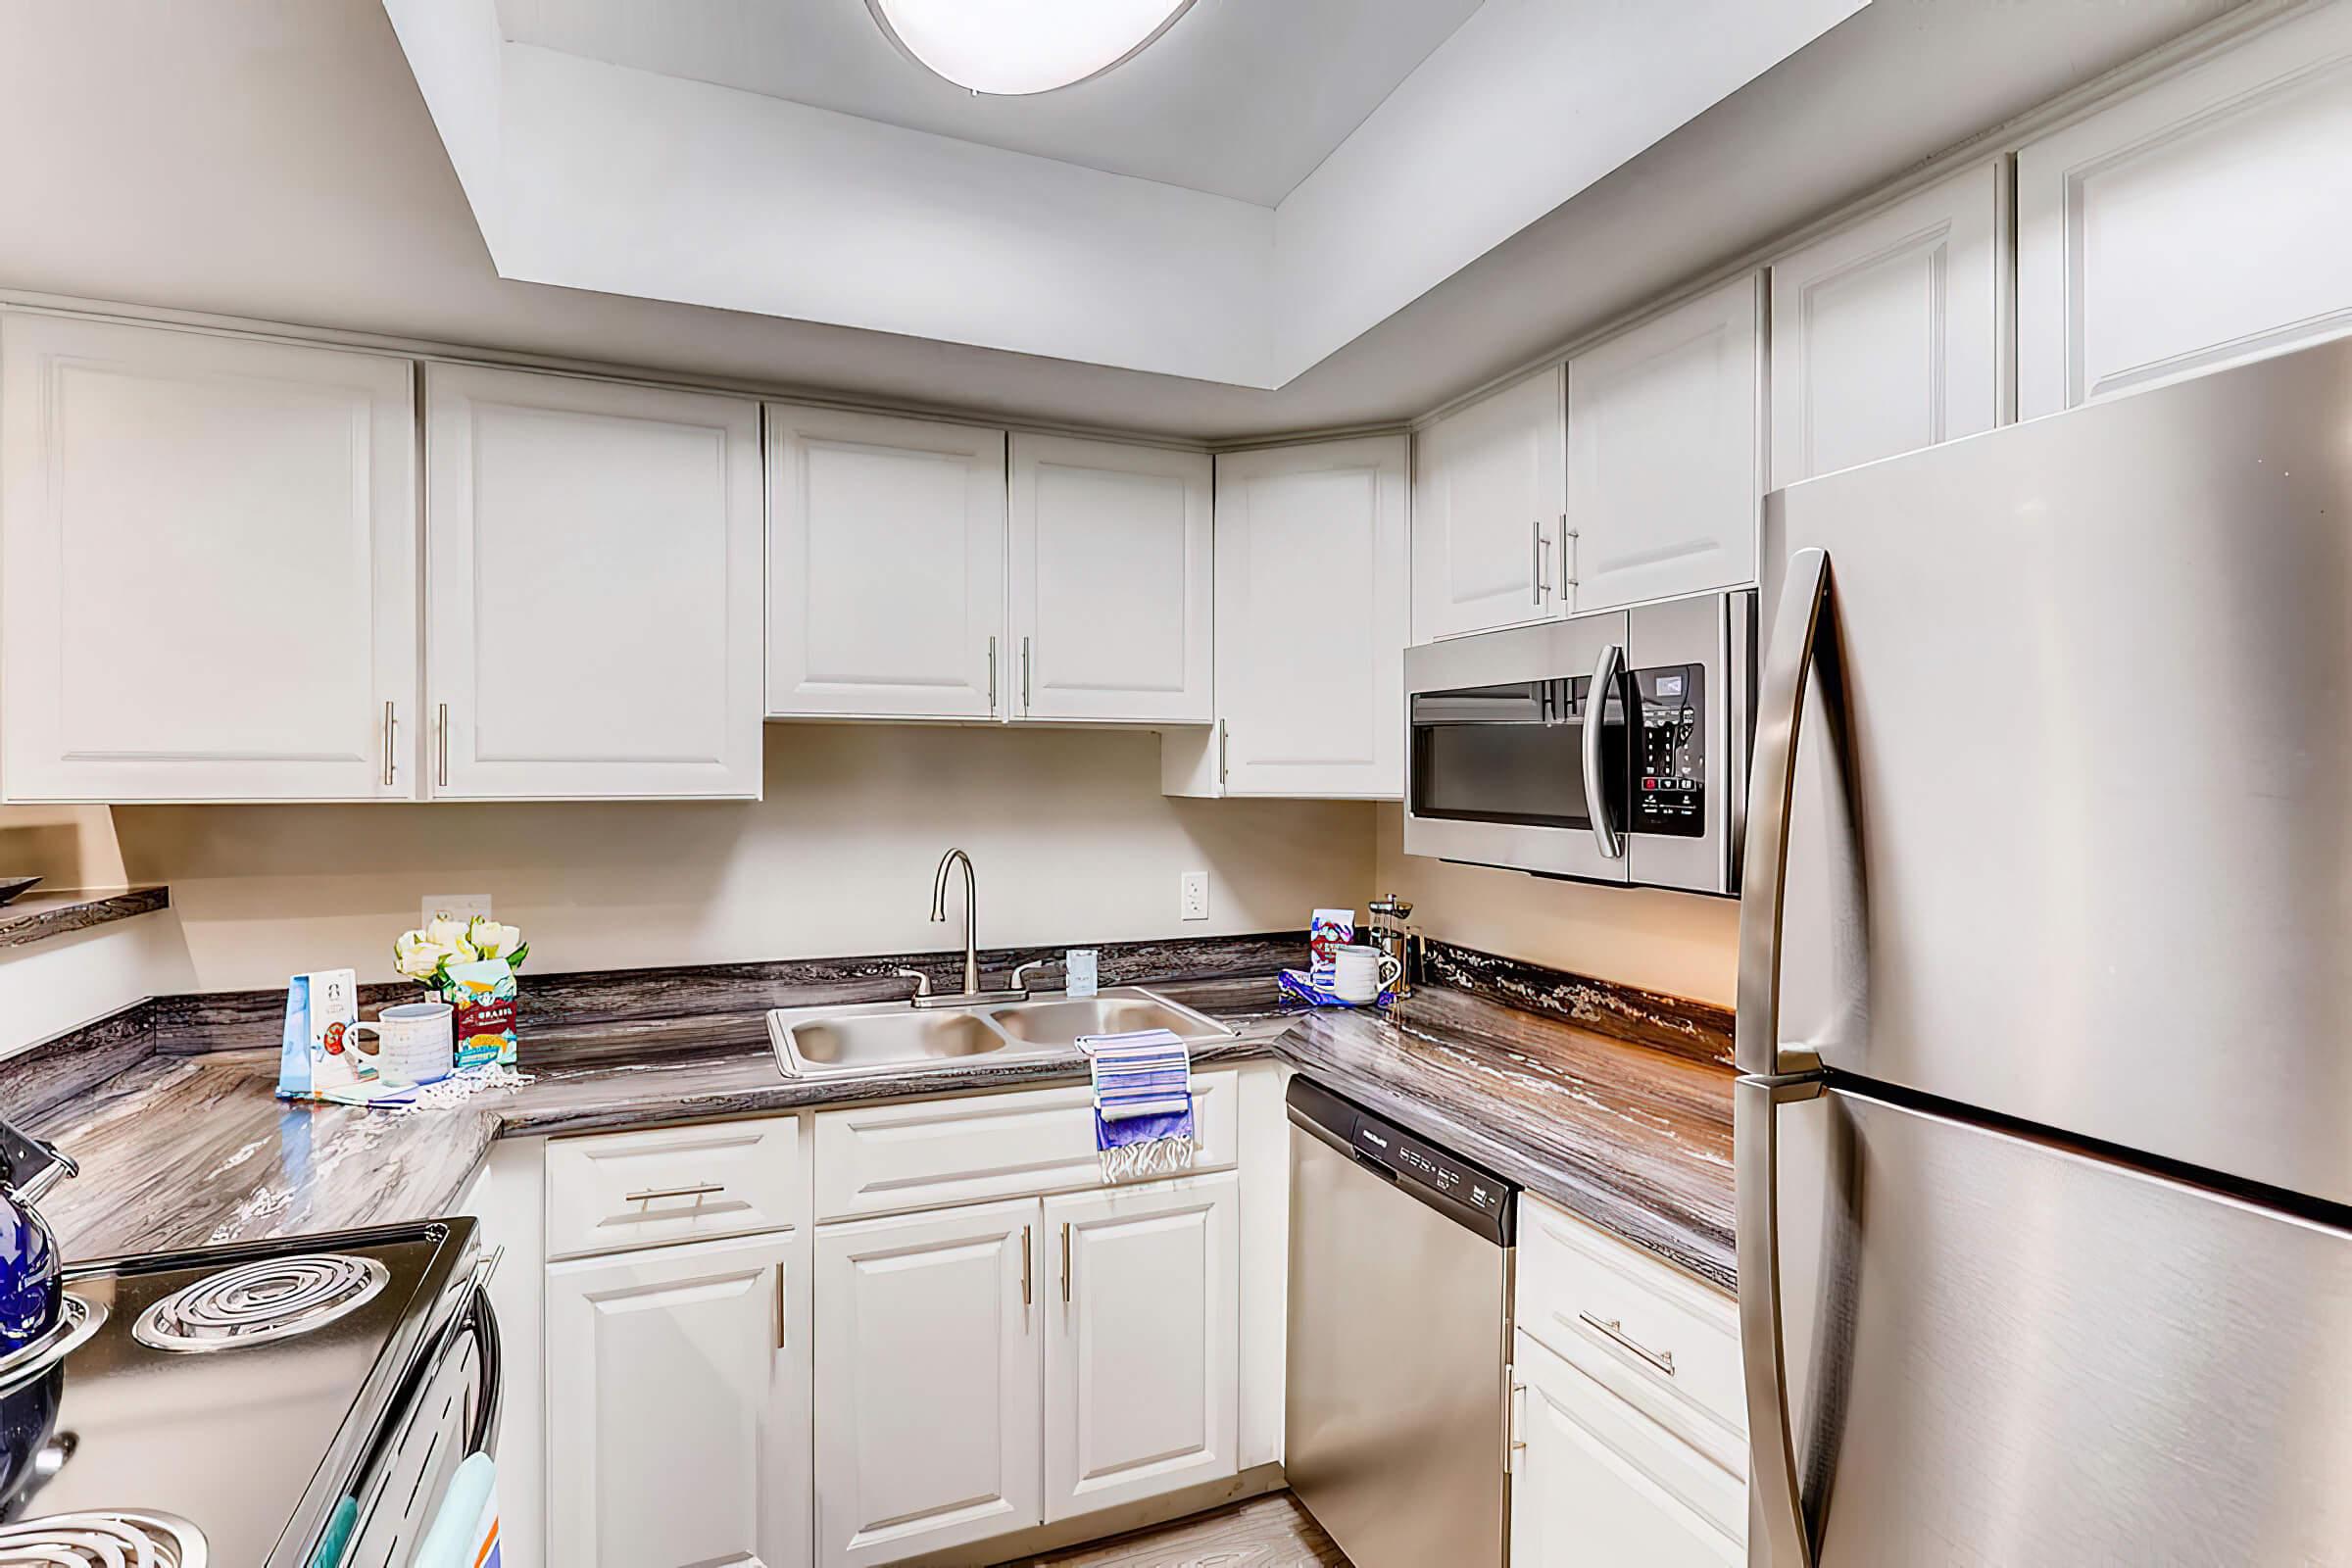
column 1676, row 944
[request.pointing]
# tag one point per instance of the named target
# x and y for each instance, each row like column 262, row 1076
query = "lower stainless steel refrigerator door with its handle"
column 2007, row 1353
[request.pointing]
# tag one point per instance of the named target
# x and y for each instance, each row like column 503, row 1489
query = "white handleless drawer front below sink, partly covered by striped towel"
column 973, row 1148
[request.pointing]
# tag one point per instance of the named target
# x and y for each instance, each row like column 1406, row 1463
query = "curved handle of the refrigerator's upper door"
column 1796, row 641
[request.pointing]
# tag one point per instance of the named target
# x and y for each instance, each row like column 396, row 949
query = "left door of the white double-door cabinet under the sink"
column 928, row 1381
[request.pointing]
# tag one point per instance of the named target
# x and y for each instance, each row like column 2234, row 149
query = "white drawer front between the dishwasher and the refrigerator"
column 1655, row 1336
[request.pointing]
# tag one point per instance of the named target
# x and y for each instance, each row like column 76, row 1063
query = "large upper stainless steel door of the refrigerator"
column 2069, row 826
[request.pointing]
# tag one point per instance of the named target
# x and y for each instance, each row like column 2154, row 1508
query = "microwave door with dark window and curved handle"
column 1504, row 768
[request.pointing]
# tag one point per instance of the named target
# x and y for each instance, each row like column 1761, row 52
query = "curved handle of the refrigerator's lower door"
column 1756, row 1111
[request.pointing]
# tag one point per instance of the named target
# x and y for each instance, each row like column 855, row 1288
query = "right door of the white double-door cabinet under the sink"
column 1142, row 1315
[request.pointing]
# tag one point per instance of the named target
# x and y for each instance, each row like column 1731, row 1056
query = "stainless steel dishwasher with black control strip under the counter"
column 1398, row 1341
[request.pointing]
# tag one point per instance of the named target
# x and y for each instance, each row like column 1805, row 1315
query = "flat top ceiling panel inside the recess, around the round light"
column 1241, row 98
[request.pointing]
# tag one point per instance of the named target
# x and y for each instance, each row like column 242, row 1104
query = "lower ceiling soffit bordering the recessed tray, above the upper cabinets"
column 274, row 161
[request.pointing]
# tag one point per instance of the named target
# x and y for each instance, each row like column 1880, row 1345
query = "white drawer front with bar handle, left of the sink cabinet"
column 671, row 1184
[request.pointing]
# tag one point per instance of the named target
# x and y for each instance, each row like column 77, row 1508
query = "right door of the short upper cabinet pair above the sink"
column 1109, row 582
